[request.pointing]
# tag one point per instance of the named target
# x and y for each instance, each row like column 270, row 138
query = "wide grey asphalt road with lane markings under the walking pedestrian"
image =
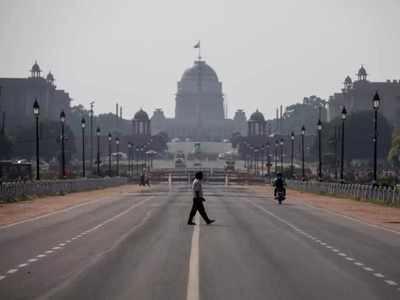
column 138, row 246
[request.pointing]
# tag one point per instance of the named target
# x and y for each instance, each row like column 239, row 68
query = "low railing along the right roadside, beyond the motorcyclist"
column 385, row 195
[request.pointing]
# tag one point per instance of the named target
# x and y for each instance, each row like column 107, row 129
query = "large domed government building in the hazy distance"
column 199, row 109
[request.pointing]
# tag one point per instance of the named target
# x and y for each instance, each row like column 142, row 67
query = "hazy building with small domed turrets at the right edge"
column 357, row 96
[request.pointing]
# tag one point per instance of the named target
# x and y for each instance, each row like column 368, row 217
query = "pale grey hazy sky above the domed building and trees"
column 265, row 52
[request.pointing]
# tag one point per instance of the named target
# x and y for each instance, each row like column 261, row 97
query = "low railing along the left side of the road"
column 12, row 191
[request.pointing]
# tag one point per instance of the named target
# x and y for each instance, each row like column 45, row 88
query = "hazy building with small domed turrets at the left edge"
column 18, row 95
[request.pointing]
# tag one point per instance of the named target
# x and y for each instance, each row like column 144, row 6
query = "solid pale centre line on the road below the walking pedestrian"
column 192, row 291
